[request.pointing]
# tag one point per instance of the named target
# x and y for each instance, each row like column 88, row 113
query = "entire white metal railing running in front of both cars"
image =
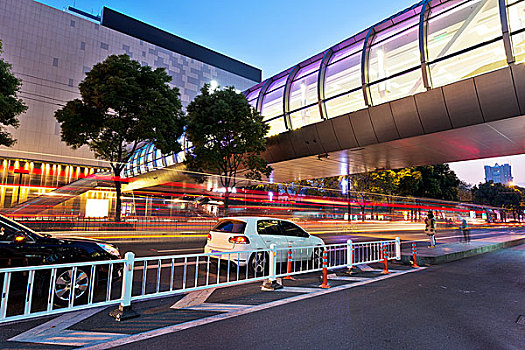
column 50, row 289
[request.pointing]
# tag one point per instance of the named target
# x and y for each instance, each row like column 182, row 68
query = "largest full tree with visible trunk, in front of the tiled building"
column 122, row 105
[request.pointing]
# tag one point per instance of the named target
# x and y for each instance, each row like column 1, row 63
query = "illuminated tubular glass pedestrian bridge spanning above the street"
column 441, row 81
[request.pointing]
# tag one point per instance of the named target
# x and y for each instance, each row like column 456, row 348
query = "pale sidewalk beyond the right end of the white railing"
column 447, row 252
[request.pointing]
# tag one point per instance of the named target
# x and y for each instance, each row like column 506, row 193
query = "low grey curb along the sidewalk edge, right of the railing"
column 443, row 259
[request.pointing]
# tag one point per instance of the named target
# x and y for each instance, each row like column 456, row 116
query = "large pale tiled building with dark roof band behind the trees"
column 51, row 50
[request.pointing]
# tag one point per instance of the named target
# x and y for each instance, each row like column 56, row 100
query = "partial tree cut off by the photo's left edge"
column 10, row 105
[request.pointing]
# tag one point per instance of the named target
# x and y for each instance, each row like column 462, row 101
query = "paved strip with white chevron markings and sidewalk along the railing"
column 94, row 329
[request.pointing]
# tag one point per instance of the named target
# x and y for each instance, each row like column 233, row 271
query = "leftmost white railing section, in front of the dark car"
column 50, row 289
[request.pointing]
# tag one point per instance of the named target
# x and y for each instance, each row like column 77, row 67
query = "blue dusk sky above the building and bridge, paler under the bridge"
column 273, row 35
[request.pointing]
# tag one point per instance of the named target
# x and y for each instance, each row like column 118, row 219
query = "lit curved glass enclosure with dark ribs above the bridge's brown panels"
column 431, row 44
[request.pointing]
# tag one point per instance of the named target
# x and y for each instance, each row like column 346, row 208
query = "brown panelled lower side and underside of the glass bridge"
column 476, row 118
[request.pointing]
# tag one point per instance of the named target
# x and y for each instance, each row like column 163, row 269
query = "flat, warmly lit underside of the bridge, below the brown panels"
column 493, row 139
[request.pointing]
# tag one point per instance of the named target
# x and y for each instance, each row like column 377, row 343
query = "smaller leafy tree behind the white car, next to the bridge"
column 226, row 135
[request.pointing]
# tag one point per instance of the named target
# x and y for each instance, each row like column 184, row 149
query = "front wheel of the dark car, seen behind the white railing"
column 64, row 284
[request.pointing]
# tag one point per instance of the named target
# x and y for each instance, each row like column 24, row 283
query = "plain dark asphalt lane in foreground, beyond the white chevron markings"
column 469, row 304
